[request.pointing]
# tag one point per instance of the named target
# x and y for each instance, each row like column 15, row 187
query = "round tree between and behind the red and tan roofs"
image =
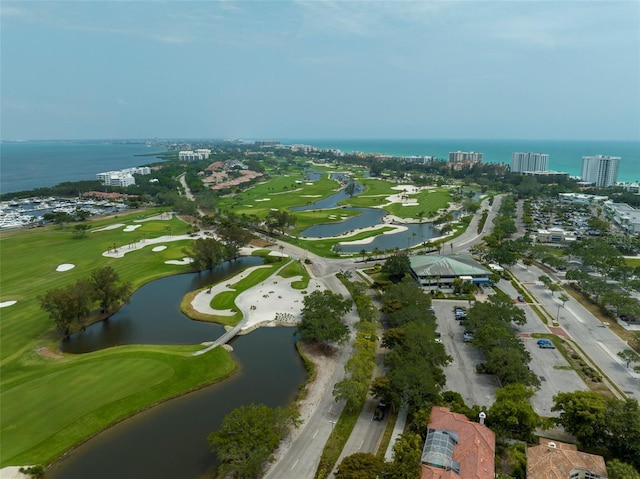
column 512, row 413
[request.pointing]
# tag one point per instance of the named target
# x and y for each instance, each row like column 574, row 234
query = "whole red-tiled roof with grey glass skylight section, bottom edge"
column 467, row 447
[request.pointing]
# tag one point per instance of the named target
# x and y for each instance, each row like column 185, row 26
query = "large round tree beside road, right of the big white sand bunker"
column 322, row 318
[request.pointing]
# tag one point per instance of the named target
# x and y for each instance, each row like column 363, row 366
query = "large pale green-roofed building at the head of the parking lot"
column 437, row 272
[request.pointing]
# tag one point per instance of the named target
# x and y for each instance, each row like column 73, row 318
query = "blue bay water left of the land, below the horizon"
column 26, row 165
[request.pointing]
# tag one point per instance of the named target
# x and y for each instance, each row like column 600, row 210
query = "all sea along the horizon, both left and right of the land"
column 31, row 164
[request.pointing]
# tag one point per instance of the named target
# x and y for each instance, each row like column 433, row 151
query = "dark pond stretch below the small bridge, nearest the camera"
column 170, row 440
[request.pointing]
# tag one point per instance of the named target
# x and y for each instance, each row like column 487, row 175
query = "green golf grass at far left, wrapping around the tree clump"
column 49, row 405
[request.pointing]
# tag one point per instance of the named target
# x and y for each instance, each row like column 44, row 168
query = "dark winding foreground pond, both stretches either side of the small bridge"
column 170, row 440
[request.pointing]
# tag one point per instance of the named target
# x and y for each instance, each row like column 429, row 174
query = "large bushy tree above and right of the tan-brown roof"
column 582, row 414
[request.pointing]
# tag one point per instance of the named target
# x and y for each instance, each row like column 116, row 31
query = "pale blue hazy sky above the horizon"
column 336, row 69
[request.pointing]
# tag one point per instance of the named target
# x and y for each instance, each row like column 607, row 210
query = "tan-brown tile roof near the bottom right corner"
column 556, row 460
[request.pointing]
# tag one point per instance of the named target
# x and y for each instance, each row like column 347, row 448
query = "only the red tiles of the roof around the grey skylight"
column 475, row 450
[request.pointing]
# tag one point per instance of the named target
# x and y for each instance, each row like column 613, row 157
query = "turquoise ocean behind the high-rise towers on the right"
column 563, row 155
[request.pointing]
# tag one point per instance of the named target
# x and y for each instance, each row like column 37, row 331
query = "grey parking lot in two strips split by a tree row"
column 548, row 364
